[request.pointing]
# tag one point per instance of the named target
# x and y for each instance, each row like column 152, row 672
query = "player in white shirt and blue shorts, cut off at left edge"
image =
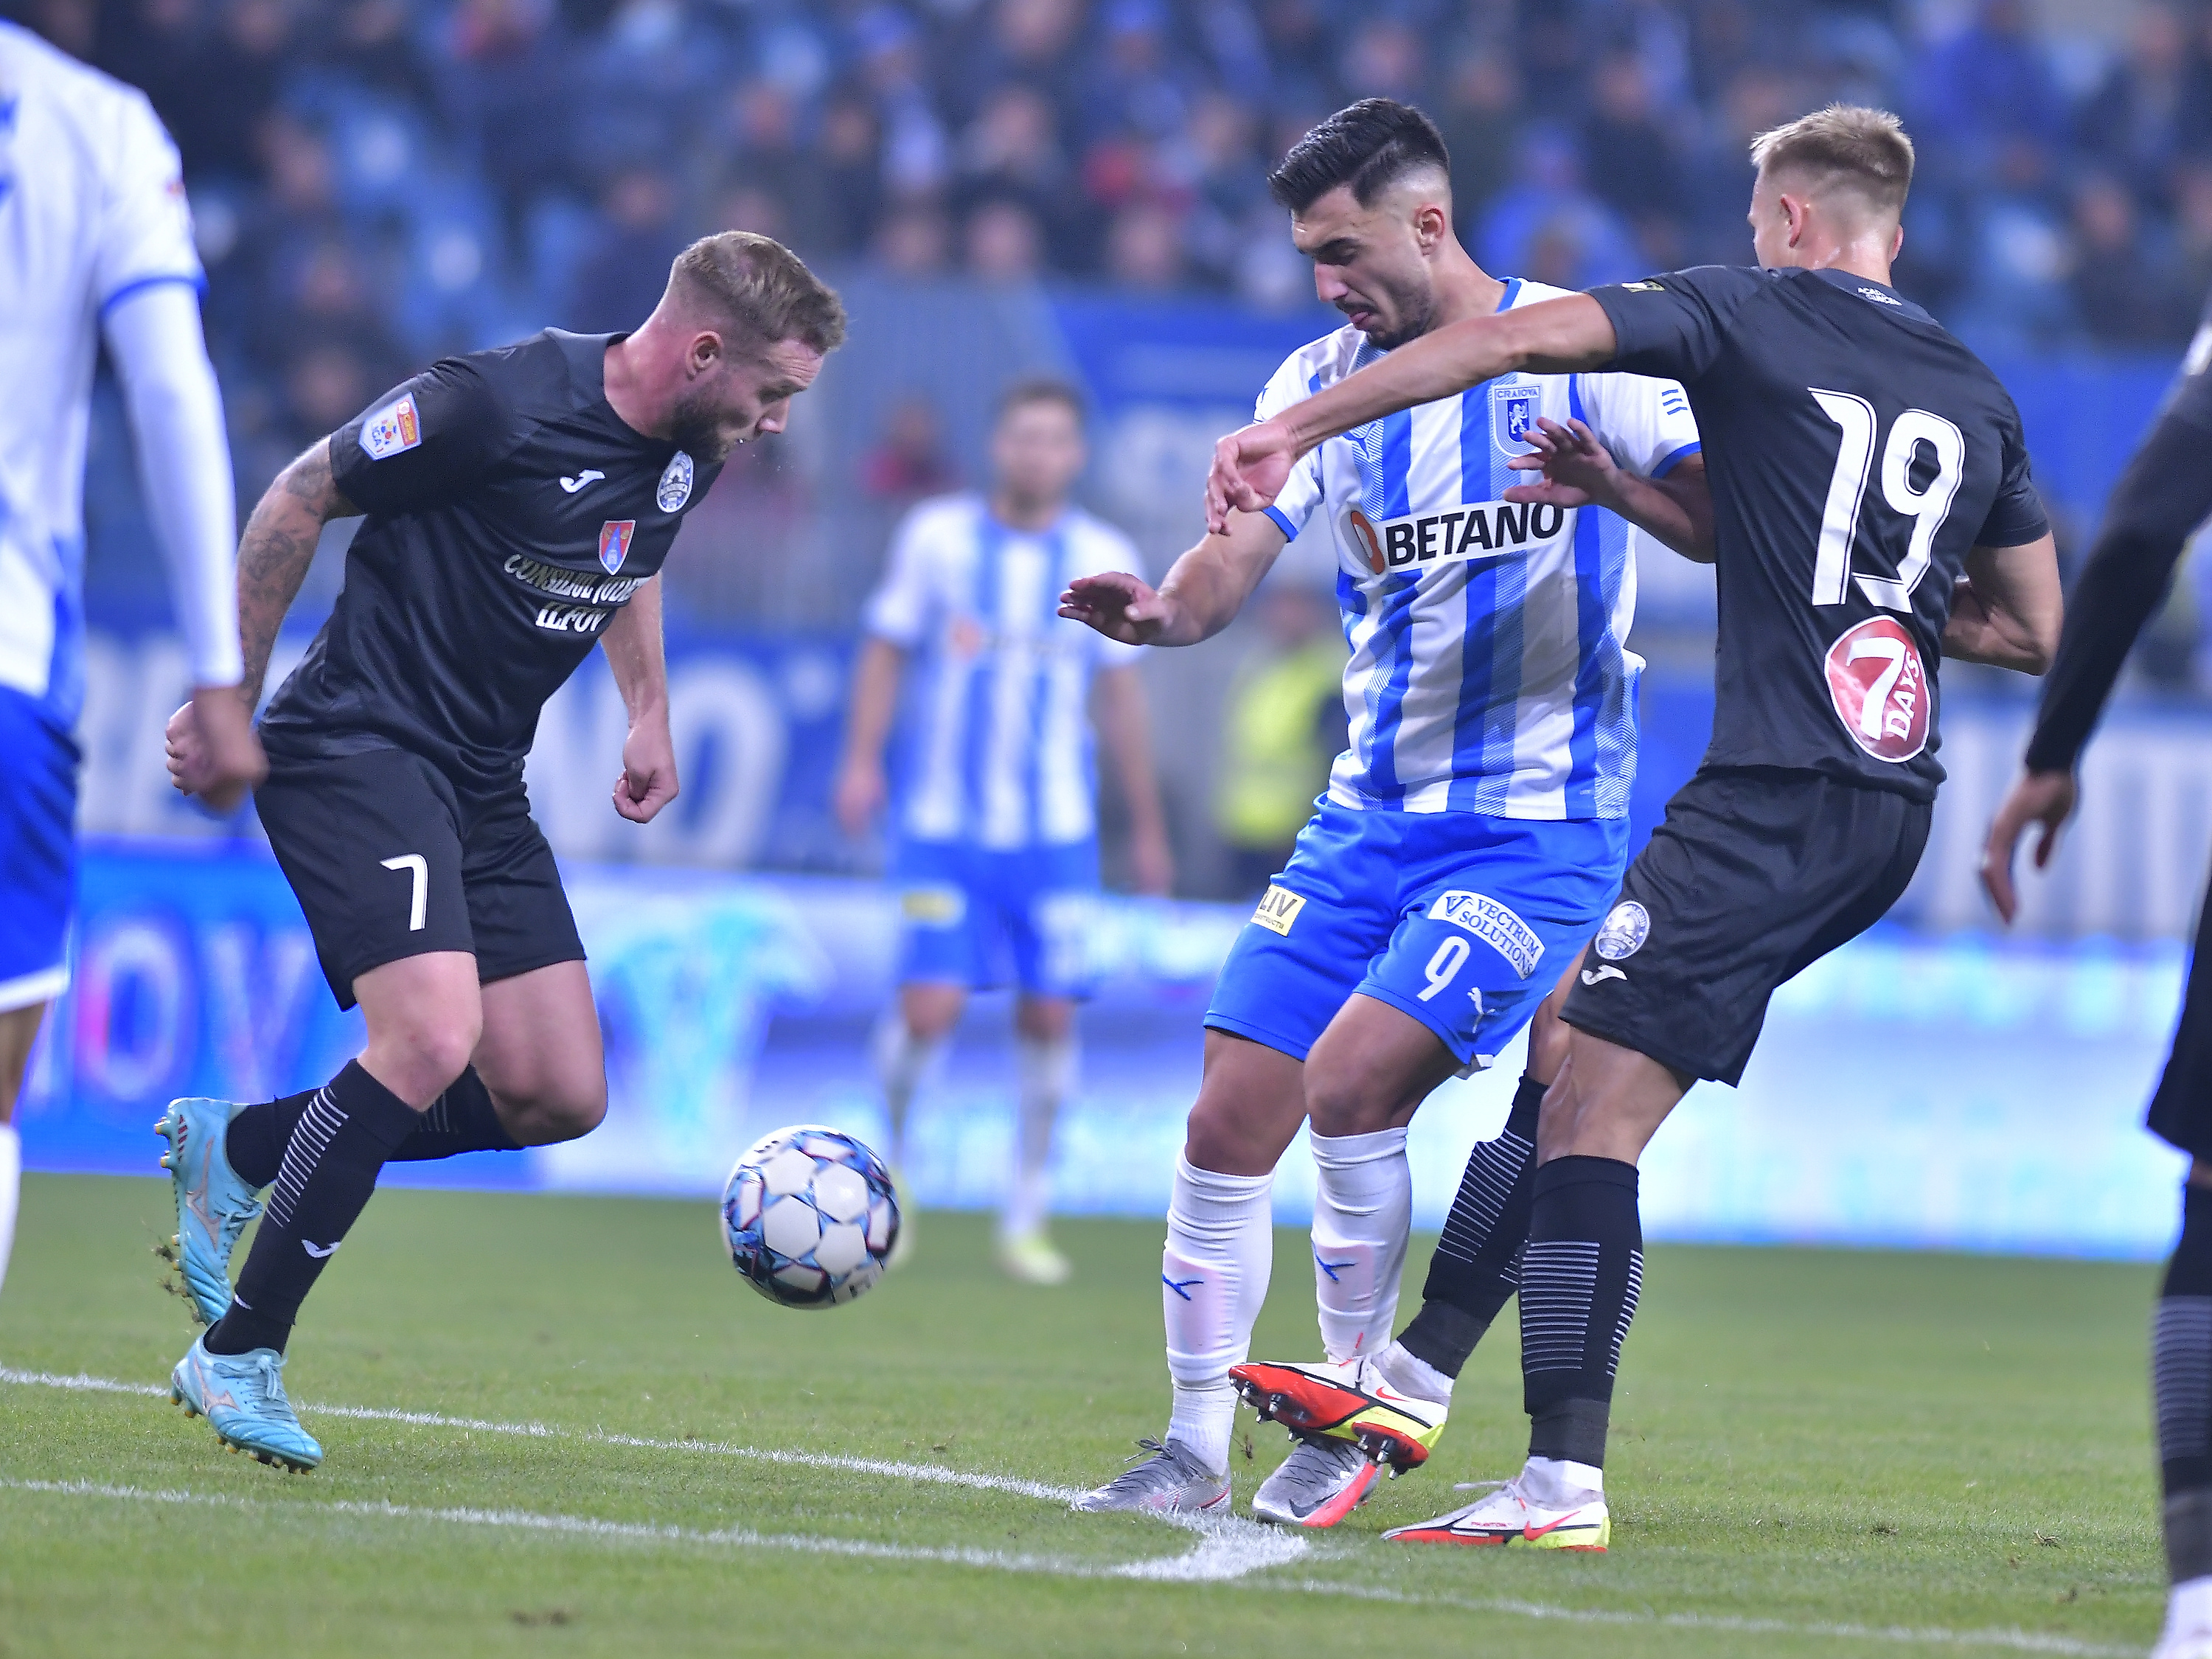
column 96, row 242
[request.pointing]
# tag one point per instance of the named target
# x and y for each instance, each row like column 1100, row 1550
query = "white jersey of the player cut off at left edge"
column 92, row 209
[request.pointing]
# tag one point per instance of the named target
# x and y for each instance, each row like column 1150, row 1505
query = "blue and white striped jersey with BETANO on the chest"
column 1490, row 667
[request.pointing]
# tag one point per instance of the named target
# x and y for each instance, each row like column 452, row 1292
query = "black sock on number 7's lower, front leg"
column 328, row 1173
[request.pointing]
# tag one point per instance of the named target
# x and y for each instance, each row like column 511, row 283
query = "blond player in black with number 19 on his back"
column 1872, row 510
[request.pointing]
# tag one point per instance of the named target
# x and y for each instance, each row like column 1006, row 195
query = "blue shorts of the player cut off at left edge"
column 39, row 853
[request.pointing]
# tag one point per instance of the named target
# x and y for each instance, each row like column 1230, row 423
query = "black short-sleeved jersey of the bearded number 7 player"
column 510, row 517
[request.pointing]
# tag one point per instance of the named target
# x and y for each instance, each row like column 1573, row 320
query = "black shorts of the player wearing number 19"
column 1755, row 875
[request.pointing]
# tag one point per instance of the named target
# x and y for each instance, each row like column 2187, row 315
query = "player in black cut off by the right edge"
column 2156, row 508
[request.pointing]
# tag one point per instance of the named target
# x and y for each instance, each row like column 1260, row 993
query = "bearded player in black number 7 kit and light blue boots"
column 519, row 510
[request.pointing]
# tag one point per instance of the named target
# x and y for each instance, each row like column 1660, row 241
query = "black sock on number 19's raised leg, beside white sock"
column 1477, row 1264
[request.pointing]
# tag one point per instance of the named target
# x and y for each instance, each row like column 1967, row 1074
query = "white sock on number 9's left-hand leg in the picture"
column 1213, row 1284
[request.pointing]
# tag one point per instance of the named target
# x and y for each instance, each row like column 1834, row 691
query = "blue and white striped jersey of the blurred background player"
column 1001, row 709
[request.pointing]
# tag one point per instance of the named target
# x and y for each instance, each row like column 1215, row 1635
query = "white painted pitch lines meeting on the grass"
column 1229, row 1547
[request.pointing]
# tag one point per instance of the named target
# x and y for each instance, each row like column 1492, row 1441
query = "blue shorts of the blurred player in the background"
column 979, row 917
